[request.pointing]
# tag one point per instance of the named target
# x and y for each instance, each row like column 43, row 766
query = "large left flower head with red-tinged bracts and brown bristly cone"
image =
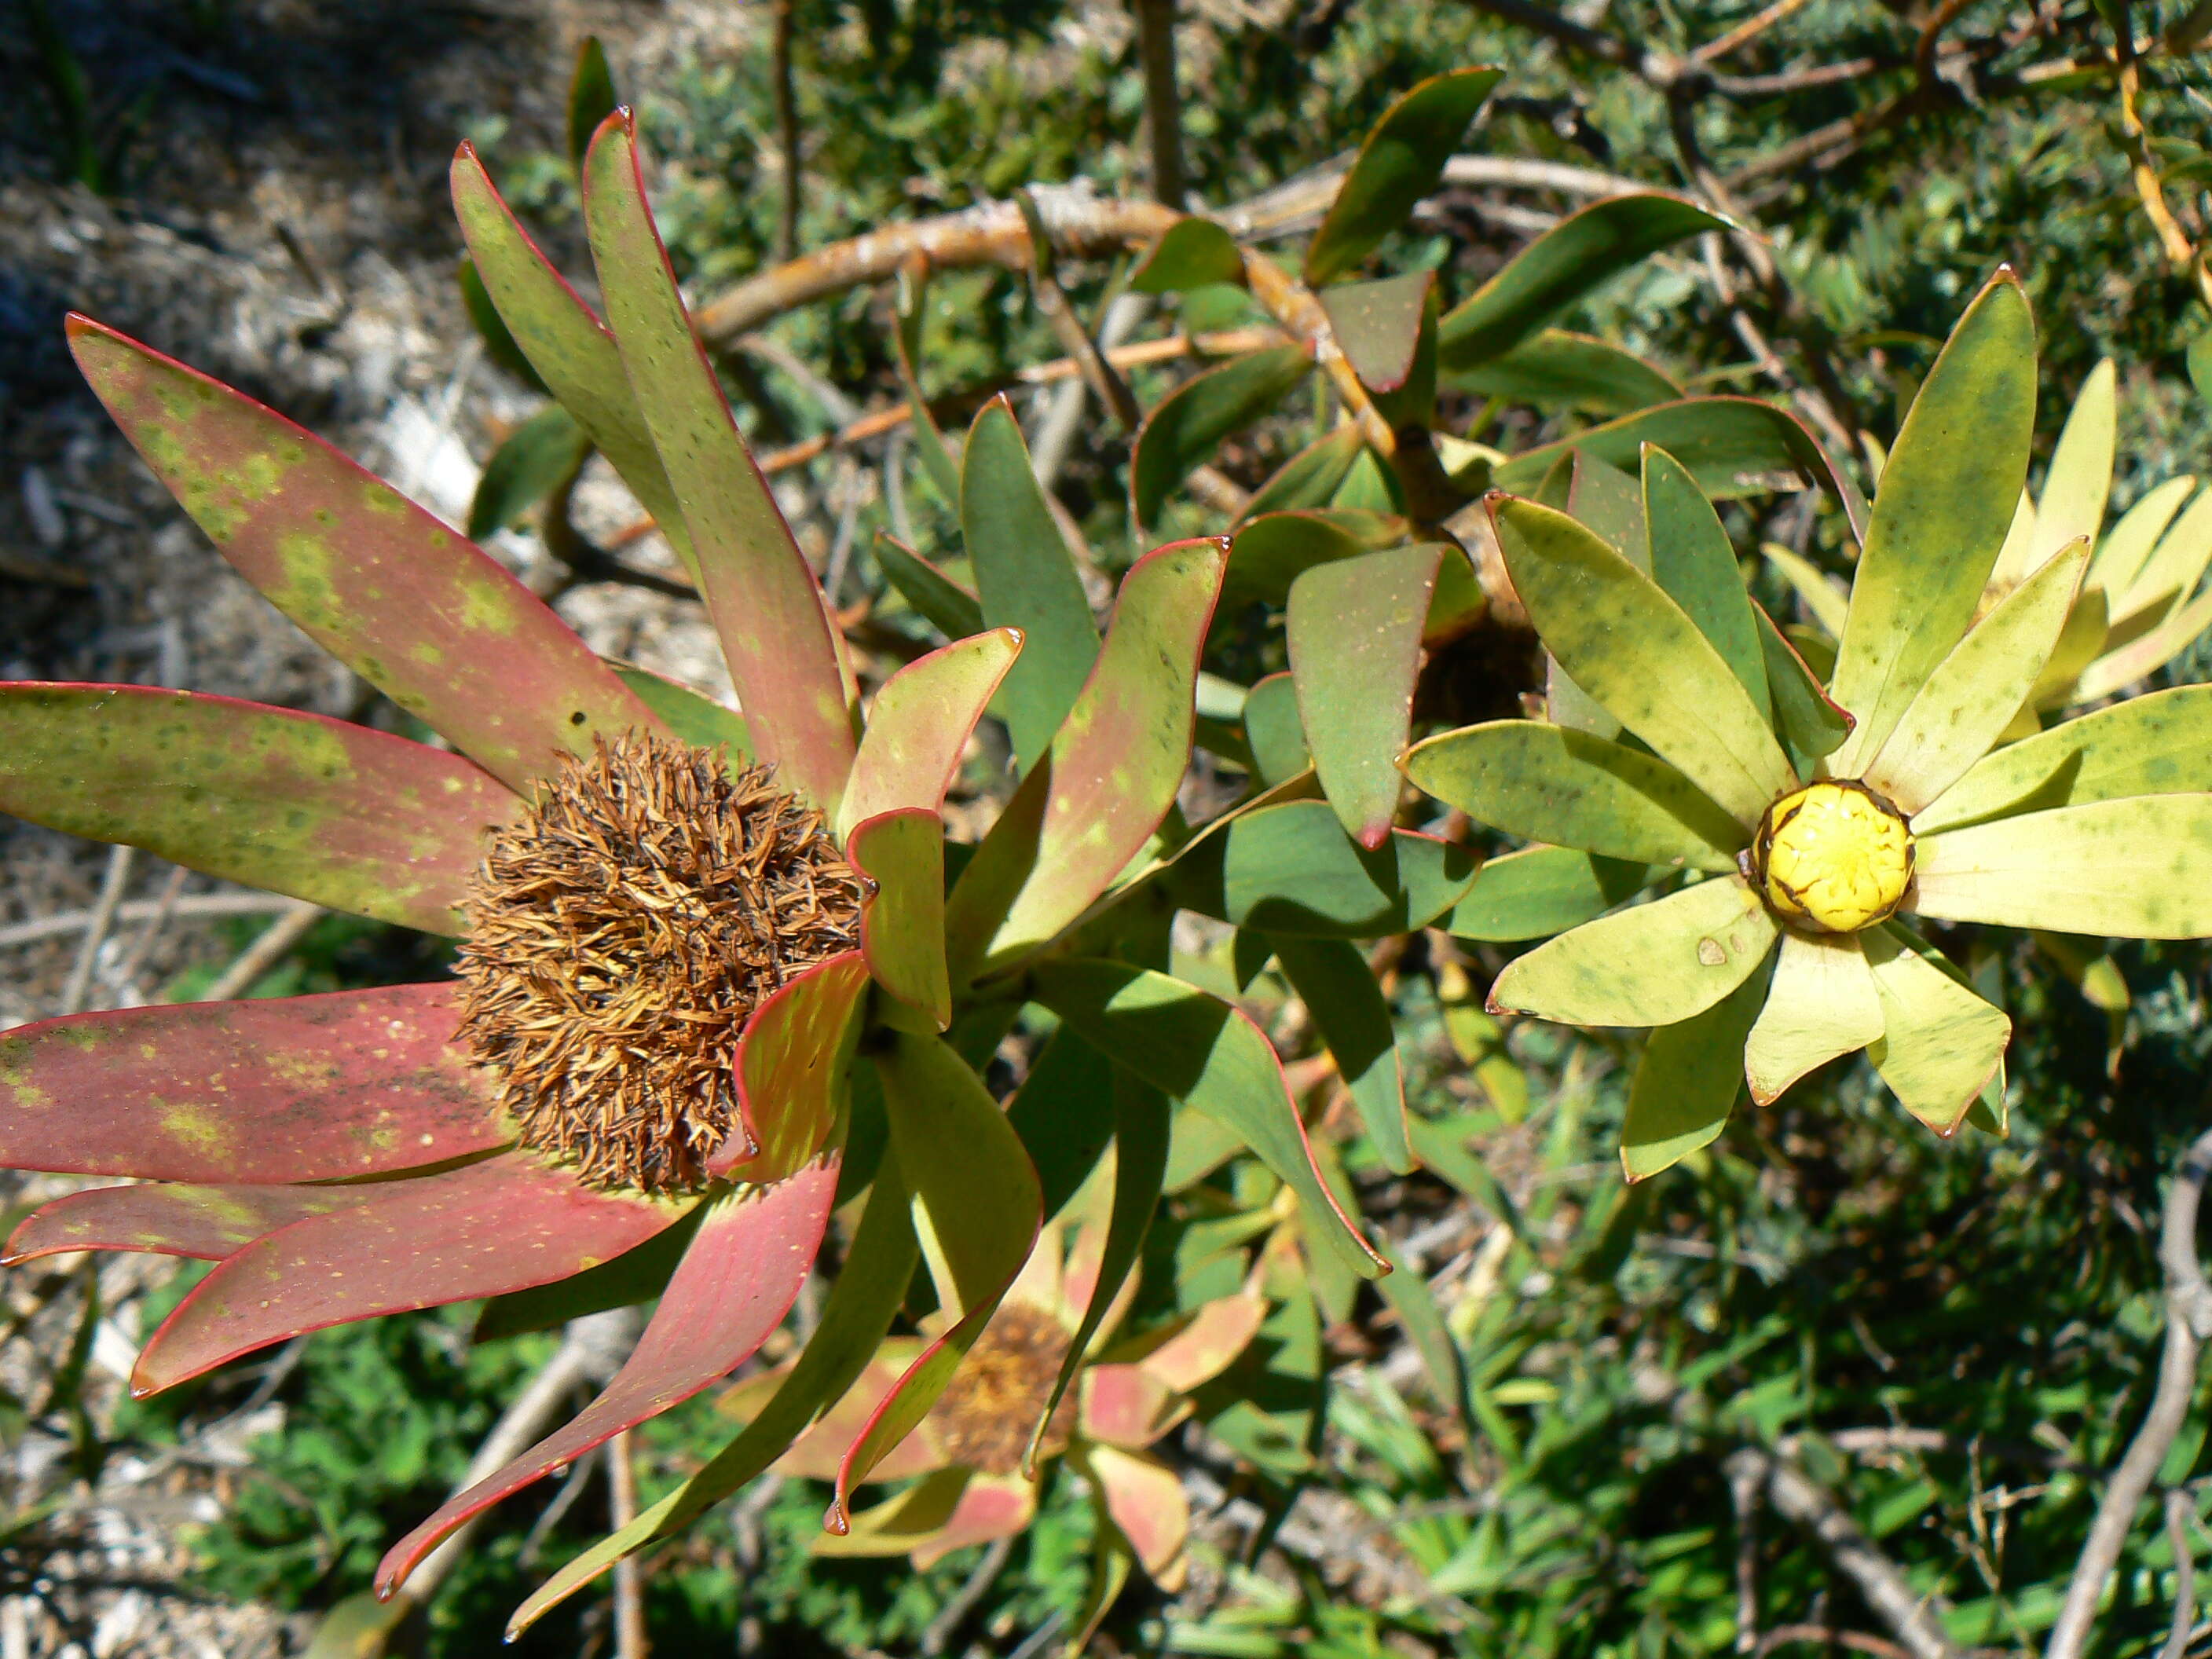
column 680, row 928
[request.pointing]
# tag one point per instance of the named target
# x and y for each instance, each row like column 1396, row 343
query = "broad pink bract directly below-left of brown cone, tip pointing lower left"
column 479, row 1231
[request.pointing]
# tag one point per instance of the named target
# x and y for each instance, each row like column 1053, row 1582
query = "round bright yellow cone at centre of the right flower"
column 1833, row 857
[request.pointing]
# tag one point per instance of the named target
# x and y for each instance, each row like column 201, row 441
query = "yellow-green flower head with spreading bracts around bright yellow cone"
column 1808, row 833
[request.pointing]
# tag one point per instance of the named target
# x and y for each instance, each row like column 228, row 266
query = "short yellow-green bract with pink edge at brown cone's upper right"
column 921, row 722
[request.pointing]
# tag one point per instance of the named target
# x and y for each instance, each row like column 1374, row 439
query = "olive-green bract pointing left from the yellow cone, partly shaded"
column 1574, row 791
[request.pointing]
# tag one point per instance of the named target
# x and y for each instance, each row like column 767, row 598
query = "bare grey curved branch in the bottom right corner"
column 2189, row 1324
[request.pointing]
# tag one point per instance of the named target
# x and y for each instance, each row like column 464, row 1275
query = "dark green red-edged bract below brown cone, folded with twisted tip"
column 977, row 1213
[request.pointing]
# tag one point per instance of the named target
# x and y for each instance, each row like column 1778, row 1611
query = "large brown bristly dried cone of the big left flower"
column 620, row 935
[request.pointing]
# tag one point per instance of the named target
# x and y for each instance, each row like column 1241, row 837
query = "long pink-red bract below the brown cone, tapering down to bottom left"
column 733, row 1288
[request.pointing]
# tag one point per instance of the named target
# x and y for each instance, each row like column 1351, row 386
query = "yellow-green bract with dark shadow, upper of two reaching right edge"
column 2158, row 744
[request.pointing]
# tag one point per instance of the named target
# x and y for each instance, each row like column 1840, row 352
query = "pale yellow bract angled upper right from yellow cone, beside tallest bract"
column 1976, row 691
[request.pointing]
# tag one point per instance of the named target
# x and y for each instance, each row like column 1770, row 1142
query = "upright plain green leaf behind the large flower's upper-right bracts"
column 1025, row 581
